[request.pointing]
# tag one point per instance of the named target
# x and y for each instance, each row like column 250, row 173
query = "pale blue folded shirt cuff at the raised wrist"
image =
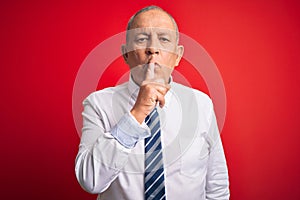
column 128, row 131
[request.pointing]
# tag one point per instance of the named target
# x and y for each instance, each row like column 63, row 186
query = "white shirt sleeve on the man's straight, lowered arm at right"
column 217, row 183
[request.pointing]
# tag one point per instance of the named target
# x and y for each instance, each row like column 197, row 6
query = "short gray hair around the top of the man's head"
column 145, row 10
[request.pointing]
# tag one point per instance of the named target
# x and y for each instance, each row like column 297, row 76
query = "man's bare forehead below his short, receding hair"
column 153, row 18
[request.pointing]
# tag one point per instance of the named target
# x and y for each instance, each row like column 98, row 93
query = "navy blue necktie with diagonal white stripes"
column 154, row 171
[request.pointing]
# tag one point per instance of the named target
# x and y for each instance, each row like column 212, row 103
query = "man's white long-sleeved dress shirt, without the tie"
column 110, row 160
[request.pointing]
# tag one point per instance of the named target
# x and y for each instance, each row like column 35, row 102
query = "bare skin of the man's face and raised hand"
column 151, row 53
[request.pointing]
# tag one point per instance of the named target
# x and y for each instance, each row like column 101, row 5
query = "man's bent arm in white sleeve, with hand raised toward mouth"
column 104, row 151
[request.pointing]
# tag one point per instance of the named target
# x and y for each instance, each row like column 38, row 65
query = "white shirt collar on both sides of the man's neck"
column 133, row 89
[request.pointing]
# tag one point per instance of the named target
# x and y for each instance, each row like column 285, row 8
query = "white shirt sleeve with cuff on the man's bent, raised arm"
column 102, row 156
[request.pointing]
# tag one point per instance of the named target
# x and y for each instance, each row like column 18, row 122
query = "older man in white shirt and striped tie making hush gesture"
column 151, row 138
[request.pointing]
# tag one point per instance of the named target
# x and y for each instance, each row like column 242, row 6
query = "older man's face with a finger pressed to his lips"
column 151, row 50
